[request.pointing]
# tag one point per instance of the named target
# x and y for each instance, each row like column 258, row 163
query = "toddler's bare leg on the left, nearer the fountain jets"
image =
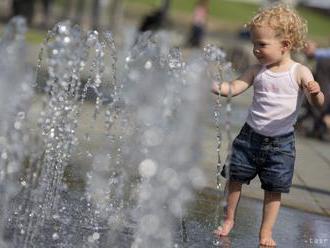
column 234, row 192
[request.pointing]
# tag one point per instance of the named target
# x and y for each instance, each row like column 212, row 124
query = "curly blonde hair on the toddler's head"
column 286, row 23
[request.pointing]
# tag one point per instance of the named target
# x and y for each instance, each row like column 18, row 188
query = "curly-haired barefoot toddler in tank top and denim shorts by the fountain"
column 265, row 145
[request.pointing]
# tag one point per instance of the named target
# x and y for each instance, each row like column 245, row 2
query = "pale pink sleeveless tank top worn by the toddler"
column 276, row 102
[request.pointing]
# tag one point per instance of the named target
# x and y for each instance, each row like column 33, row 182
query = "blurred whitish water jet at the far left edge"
column 16, row 149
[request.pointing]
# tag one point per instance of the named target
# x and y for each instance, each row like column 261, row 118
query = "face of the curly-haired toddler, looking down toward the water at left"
column 267, row 48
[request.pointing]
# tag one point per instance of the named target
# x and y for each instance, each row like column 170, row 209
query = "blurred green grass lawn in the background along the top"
column 238, row 13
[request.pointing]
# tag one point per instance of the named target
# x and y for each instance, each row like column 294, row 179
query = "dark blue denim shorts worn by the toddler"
column 271, row 158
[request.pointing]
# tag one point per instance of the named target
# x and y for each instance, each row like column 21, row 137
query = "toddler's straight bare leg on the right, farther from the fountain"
column 272, row 202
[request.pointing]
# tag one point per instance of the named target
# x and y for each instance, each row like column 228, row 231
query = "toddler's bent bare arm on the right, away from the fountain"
column 311, row 88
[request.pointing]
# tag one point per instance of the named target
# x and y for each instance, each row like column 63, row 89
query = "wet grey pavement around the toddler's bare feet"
column 294, row 228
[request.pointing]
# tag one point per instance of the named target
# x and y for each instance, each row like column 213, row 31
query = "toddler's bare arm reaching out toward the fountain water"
column 237, row 86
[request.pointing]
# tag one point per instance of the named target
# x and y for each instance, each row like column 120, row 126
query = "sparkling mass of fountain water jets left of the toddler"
column 138, row 173
